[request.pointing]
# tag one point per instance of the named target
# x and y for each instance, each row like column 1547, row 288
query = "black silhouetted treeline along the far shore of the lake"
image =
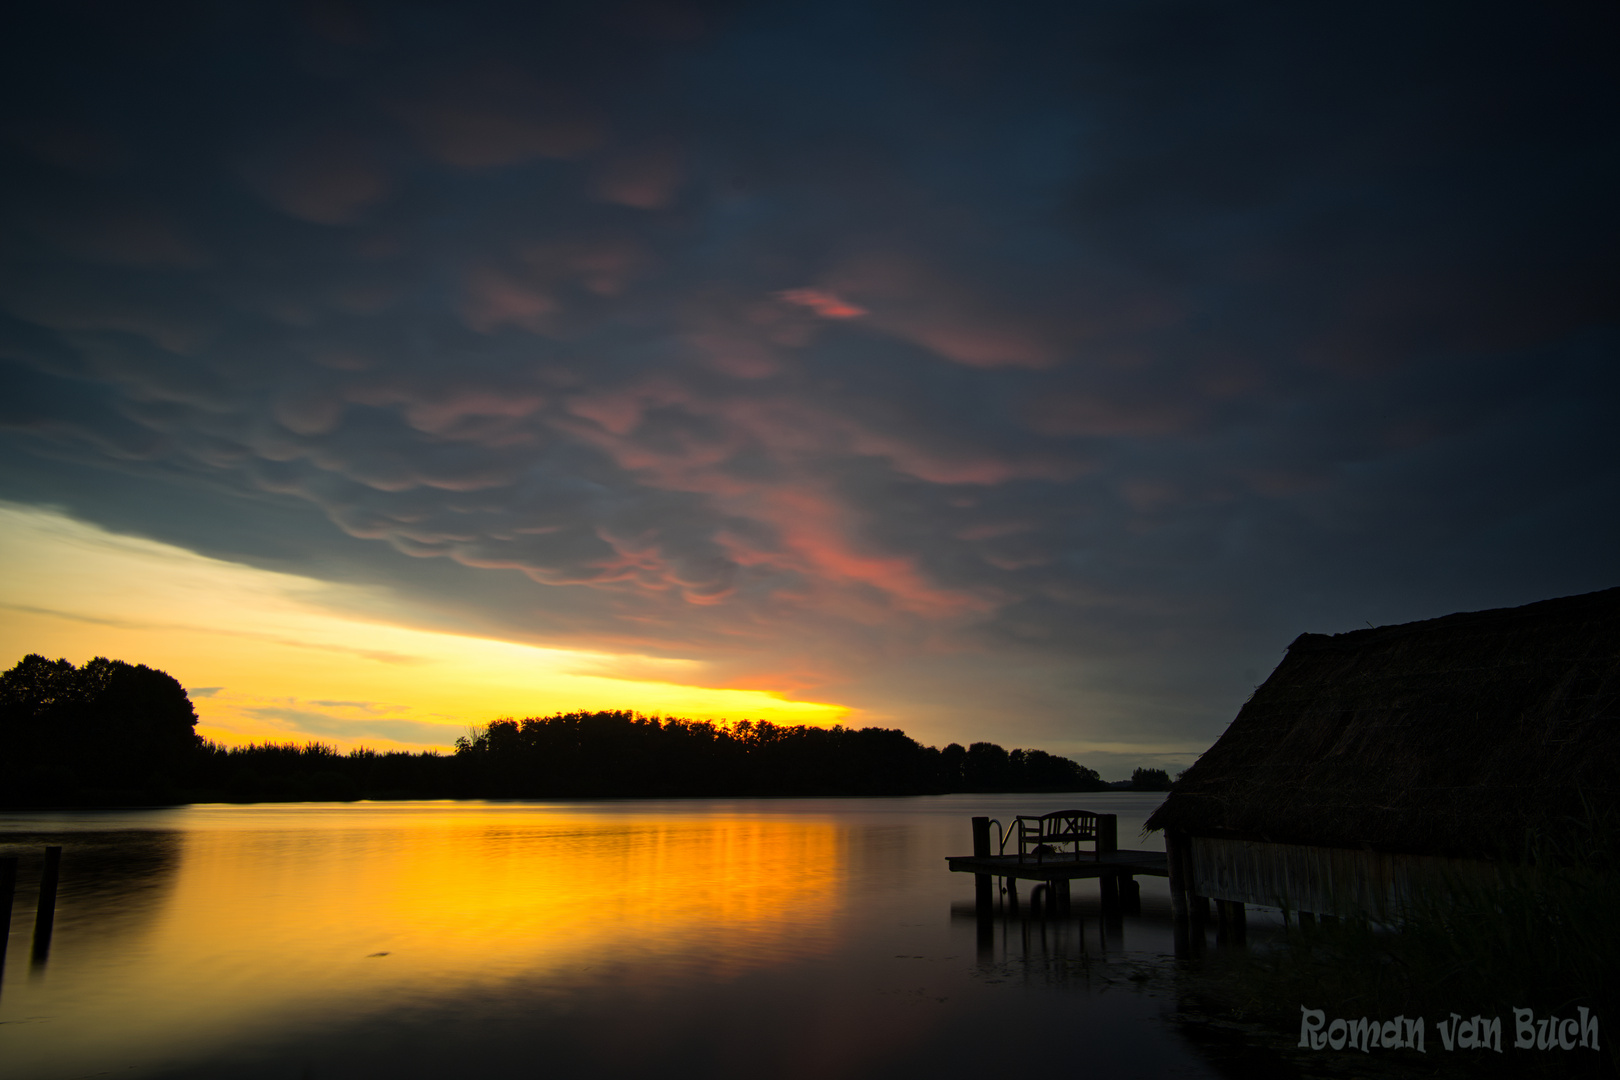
column 122, row 734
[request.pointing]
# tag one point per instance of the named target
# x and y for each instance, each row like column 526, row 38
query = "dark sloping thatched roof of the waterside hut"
column 1449, row 736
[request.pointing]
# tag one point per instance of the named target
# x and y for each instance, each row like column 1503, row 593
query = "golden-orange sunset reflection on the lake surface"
column 278, row 916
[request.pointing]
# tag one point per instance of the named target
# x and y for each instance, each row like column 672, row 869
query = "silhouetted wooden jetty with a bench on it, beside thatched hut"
column 1039, row 857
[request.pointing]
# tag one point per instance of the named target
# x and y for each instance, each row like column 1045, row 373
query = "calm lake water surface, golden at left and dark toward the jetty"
column 774, row 938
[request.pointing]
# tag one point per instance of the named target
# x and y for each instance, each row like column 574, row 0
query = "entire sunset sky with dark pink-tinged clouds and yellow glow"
column 1020, row 373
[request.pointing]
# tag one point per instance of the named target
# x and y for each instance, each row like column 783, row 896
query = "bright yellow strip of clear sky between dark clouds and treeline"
column 273, row 657
